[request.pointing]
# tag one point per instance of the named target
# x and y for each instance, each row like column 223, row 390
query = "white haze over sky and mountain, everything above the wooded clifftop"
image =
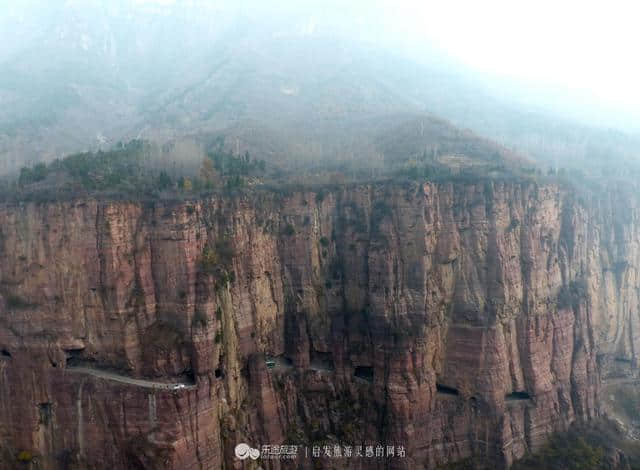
column 554, row 80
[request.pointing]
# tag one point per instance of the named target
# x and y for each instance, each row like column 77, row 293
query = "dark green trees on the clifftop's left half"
column 134, row 169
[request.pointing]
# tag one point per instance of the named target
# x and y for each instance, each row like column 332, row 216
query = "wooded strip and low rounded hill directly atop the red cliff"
column 422, row 148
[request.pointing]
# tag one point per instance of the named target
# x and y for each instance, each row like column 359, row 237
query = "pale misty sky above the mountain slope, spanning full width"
column 576, row 55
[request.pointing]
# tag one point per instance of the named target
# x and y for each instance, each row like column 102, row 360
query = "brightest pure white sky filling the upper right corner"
column 587, row 47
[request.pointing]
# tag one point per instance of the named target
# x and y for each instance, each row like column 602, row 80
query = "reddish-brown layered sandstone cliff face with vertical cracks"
column 455, row 320
